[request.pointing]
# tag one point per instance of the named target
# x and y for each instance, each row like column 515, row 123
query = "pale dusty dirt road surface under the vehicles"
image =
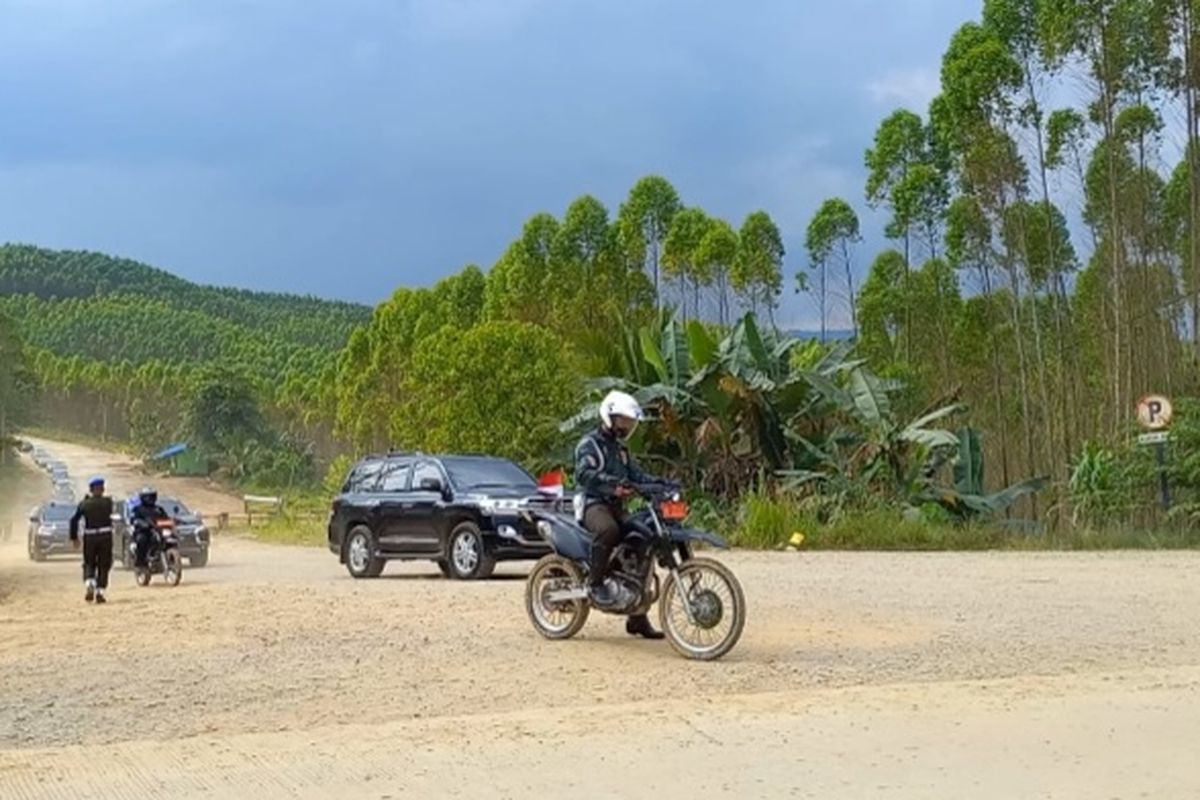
column 274, row 675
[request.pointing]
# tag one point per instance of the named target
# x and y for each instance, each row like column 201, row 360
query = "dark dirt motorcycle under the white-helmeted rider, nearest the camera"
column 701, row 605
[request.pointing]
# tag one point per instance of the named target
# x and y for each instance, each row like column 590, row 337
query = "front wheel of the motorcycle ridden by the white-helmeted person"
column 703, row 610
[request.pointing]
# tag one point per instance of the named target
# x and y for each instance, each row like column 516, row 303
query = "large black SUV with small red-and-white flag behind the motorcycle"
column 460, row 512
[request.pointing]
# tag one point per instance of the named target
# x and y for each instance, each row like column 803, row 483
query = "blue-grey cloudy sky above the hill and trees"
column 347, row 148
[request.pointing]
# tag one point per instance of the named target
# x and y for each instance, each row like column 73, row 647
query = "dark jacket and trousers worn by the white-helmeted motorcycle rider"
column 602, row 465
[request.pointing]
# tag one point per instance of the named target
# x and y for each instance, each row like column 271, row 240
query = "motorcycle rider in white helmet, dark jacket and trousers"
column 604, row 472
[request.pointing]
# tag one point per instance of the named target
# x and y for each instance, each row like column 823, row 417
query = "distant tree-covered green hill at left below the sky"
column 37, row 285
